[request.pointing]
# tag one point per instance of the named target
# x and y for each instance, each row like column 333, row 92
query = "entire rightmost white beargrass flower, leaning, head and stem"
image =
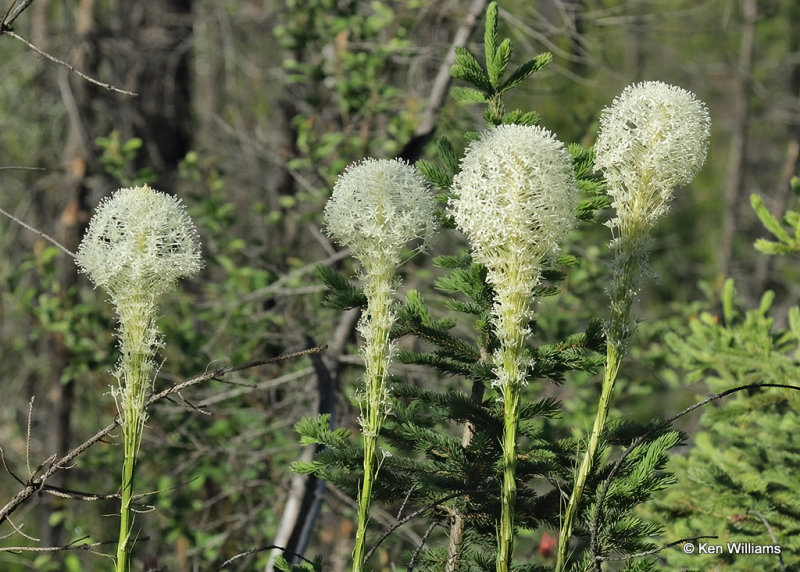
column 652, row 139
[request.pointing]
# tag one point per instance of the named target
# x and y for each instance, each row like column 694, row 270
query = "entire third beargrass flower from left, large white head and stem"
column 514, row 200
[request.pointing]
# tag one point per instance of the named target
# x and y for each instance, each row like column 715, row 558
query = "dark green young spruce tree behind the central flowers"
column 454, row 481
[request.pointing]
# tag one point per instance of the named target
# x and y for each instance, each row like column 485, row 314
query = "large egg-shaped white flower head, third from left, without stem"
column 515, row 198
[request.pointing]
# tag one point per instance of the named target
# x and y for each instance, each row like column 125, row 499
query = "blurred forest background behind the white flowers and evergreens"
column 248, row 111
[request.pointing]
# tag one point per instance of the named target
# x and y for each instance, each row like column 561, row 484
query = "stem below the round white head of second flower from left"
column 375, row 328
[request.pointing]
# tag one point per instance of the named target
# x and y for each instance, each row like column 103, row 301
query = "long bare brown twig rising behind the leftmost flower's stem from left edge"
column 38, row 482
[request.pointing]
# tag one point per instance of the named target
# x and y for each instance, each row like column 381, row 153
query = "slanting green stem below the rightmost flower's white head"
column 626, row 272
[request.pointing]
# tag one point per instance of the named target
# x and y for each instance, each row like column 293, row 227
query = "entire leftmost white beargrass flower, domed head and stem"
column 139, row 243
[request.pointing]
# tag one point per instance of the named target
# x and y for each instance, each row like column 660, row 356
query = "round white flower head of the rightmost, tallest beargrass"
column 652, row 139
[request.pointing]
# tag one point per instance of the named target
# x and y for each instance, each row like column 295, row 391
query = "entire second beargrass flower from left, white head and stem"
column 377, row 207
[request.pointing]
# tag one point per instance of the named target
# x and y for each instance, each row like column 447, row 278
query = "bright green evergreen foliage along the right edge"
column 737, row 483
